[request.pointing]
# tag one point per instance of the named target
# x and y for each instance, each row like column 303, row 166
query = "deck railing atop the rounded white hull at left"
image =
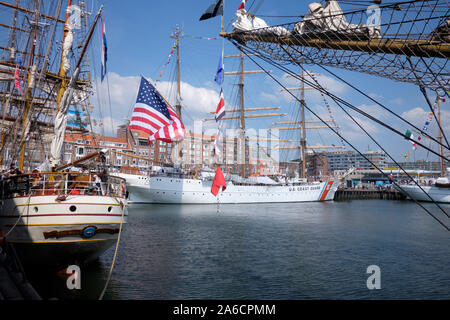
column 61, row 184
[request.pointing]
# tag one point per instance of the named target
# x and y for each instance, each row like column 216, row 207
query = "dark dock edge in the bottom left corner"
column 13, row 282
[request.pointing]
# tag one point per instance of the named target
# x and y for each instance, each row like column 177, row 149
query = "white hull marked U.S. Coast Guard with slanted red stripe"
column 193, row 191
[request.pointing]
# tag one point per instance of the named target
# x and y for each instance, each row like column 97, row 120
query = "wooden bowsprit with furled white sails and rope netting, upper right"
column 417, row 30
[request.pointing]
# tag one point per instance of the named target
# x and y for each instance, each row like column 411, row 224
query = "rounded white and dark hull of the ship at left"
column 74, row 231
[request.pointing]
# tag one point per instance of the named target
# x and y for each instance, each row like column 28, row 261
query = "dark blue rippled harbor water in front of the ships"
column 318, row 250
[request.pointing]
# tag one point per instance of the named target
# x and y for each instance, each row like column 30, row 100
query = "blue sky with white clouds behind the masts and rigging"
column 139, row 43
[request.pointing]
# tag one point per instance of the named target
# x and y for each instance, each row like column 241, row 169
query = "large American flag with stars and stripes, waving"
column 152, row 115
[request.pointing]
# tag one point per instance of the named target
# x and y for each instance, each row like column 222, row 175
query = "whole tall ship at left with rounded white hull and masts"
column 53, row 216
